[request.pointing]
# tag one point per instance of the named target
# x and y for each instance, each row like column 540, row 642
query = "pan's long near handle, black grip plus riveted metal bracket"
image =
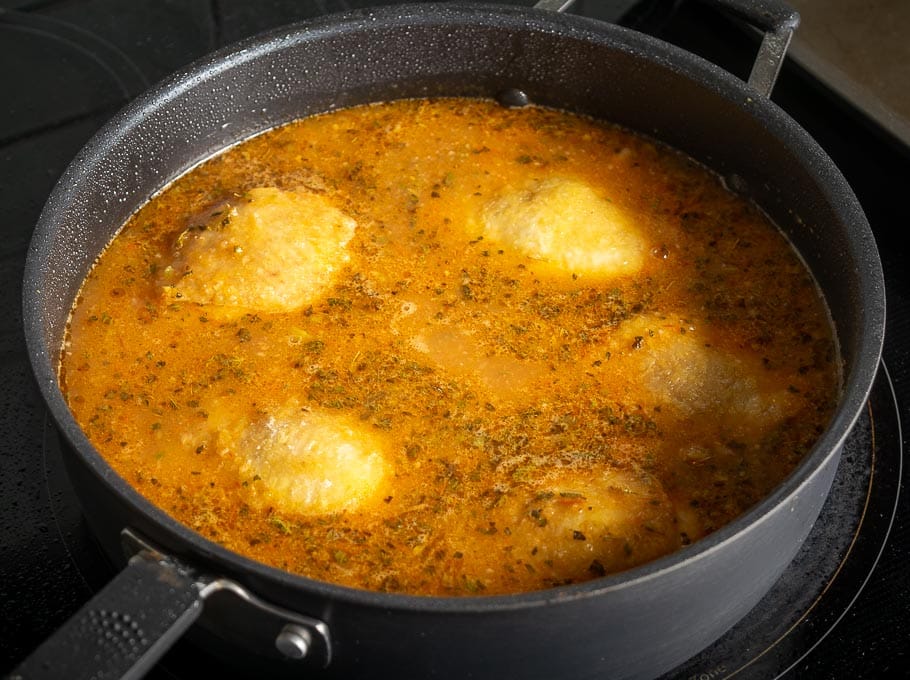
column 123, row 631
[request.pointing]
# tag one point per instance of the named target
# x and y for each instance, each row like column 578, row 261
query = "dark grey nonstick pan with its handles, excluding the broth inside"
column 637, row 624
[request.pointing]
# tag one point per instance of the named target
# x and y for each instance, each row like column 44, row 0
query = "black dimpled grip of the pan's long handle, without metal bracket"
column 124, row 629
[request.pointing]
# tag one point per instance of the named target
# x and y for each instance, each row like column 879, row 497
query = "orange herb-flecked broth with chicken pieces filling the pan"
column 445, row 347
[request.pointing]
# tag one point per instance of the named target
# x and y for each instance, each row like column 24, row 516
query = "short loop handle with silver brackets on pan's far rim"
column 774, row 18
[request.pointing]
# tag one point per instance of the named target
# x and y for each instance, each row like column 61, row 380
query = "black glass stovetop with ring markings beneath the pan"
column 842, row 609
